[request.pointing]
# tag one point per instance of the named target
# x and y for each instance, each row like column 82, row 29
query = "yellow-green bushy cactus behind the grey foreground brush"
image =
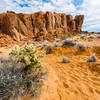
column 26, row 55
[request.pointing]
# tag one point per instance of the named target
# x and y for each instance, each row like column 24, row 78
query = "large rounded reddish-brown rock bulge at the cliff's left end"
column 13, row 26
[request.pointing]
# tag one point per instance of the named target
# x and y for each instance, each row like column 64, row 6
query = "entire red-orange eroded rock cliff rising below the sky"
column 38, row 24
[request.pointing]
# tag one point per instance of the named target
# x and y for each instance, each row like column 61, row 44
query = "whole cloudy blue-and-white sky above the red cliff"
column 90, row 8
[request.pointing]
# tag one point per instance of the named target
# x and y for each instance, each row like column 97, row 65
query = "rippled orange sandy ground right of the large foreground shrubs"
column 77, row 80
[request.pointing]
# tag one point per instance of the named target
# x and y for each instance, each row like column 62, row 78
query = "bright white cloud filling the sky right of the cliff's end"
column 92, row 15
